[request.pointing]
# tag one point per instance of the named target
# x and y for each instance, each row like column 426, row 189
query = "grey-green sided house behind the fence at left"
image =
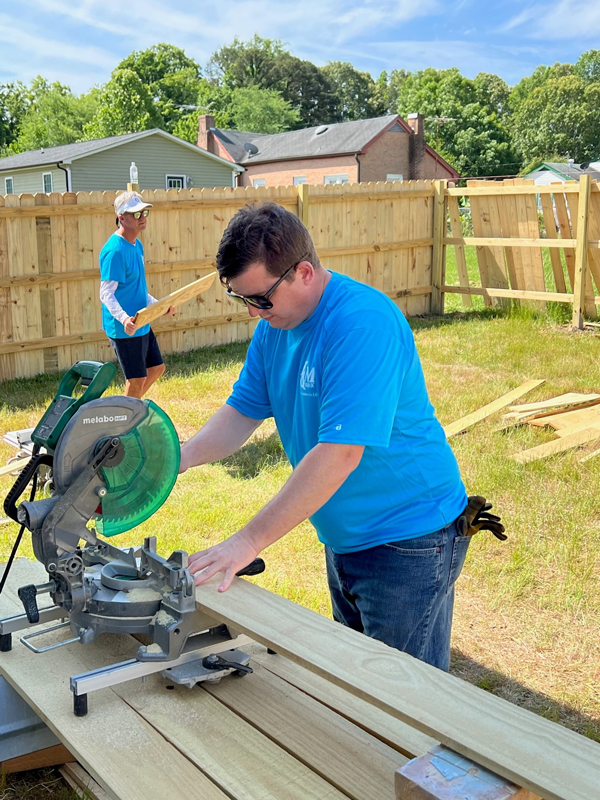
column 163, row 162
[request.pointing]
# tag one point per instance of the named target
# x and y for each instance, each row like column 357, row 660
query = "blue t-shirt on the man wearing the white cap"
column 123, row 262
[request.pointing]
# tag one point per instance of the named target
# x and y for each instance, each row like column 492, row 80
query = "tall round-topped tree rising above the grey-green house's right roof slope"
column 172, row 79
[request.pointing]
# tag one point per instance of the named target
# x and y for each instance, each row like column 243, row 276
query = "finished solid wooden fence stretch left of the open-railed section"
column 50, row 312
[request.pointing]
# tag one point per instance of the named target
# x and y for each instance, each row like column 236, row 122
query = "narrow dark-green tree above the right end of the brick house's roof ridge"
column 355, row 92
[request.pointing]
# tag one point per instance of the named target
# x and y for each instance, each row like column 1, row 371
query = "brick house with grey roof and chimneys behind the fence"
column 381, row 149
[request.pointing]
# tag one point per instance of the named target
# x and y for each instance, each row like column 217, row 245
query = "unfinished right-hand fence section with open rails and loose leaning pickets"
column 508, row 219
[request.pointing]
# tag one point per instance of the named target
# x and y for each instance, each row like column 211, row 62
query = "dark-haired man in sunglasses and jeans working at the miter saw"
column 334, row 362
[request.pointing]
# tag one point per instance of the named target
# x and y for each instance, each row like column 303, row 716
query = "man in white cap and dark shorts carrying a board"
column 123, row 293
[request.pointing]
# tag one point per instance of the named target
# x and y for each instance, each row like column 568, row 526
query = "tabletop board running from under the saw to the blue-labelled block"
column 345, row 755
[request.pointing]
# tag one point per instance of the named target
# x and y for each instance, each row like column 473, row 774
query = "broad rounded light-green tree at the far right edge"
column 562, row 115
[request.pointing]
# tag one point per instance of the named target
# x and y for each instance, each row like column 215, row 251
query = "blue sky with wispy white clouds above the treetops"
column 80, row 42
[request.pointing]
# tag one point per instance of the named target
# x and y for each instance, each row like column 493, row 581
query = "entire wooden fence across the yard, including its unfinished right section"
column 393, row 236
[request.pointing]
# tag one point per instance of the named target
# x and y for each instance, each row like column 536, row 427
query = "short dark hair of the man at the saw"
column 267, row 234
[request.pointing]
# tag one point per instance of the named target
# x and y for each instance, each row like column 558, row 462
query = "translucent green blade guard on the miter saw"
column 141, row 482
